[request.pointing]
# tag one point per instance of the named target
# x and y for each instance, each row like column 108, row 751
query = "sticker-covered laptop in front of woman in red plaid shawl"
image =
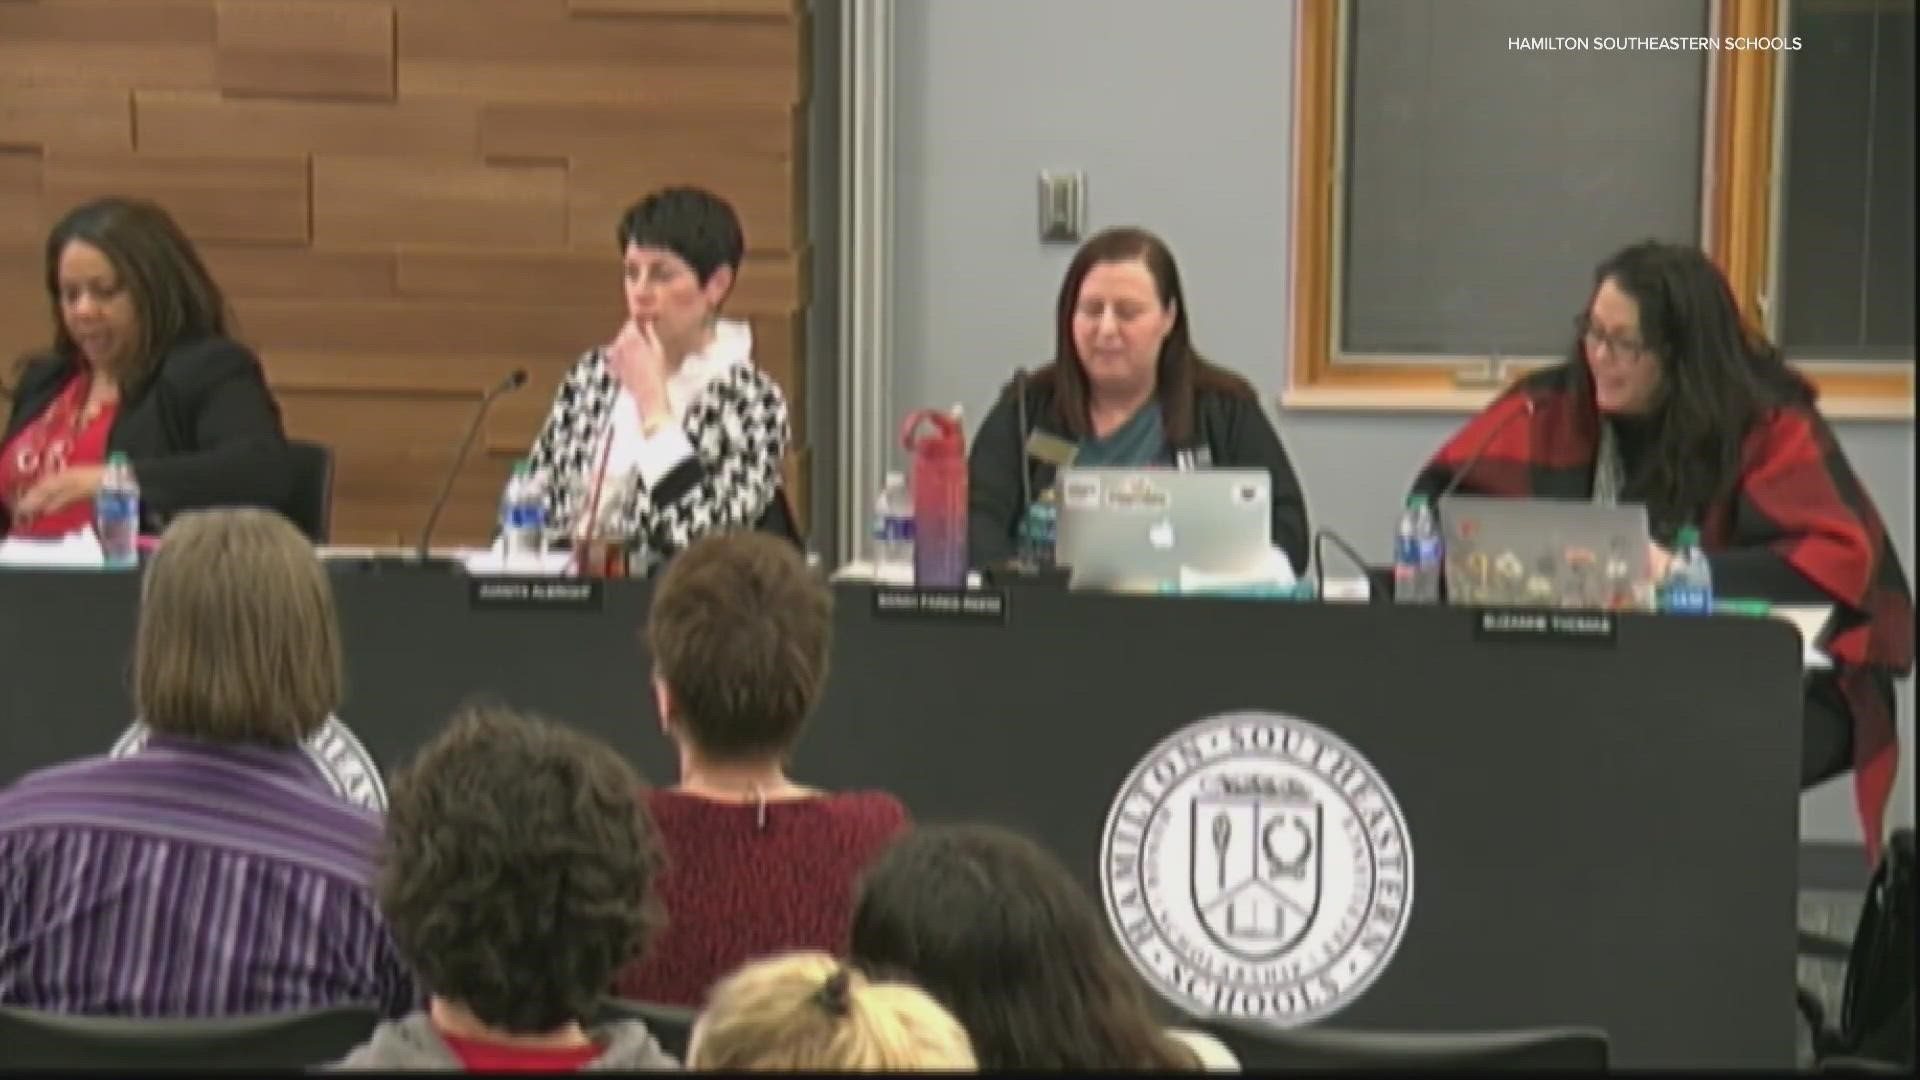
column 1547, row 554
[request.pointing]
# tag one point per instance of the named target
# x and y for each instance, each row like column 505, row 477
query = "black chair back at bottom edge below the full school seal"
column 1266, row 1048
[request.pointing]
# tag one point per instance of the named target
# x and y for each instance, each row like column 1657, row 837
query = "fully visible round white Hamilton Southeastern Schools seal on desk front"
column 1257, row 866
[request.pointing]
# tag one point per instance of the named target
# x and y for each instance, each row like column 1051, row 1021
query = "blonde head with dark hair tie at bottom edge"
column 807, row 1012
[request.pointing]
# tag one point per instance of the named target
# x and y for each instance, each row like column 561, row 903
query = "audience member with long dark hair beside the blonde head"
column 1001, row 933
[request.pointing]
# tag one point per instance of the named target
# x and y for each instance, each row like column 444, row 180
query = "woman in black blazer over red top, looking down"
column 143, row 366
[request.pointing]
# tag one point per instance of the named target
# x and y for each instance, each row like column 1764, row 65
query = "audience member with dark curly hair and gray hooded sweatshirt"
column 517, row 877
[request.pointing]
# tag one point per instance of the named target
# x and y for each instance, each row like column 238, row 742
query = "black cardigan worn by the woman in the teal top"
column 1230, row 426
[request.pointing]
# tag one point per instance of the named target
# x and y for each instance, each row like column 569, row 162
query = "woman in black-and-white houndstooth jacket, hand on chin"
column 671, row 431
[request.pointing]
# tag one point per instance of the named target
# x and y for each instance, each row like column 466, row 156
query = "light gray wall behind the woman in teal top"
column 1182, row 120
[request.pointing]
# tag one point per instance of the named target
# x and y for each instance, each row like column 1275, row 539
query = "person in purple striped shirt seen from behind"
column 216, row 871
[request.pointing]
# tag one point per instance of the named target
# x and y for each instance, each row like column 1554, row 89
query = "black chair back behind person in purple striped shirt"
column 124, row 1044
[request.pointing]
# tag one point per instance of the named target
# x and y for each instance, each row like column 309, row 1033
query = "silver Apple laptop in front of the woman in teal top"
column 1138, row 528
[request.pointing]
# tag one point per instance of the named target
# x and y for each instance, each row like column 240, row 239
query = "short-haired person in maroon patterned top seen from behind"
column 740, row 635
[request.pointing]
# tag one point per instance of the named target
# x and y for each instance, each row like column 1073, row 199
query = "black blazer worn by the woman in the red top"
column 201, row 431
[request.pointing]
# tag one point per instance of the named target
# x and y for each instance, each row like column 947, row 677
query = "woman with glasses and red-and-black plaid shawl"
column 1669, row 399
